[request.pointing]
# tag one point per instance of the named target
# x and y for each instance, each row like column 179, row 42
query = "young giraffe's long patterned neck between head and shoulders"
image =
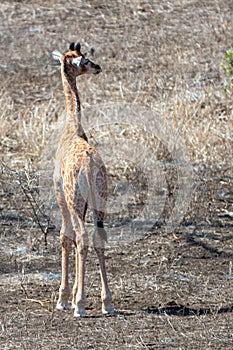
column 73, row 106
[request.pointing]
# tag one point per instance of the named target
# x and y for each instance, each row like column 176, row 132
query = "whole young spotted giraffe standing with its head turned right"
column 80, row 182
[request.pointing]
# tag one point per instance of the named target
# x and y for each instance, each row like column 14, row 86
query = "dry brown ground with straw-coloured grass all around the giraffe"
column 166, row 136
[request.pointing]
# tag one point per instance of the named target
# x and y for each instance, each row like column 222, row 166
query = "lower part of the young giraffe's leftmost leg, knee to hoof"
column 64, row 291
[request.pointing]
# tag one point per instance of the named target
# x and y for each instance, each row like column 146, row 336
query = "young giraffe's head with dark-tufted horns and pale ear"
column 75, row 62
